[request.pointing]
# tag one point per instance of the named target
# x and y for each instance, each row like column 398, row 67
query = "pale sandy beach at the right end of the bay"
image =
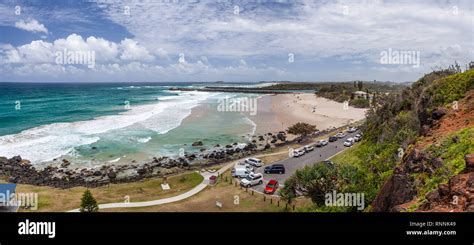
column 278, row 112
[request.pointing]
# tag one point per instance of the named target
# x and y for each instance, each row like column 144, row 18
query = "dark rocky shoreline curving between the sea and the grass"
column 21, row 171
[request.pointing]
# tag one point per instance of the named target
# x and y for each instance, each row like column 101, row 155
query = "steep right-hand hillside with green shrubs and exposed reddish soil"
column 392, row 153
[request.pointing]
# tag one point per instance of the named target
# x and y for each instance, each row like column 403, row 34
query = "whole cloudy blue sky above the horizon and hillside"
column 254, row 40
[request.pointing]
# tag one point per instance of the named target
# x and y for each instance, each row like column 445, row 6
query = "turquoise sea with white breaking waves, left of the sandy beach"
column 94, row 124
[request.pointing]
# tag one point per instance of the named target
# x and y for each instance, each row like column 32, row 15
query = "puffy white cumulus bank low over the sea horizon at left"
column 123, row 61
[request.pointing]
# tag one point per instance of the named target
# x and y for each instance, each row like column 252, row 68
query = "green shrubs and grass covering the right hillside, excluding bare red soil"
column 394, row 125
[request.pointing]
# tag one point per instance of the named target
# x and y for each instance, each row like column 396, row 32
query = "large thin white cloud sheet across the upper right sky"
column 309, row 29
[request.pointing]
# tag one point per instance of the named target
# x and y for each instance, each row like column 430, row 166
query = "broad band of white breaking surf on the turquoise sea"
column 44, row 143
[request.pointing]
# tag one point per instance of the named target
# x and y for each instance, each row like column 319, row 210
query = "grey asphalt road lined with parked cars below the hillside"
column 292, row 164
